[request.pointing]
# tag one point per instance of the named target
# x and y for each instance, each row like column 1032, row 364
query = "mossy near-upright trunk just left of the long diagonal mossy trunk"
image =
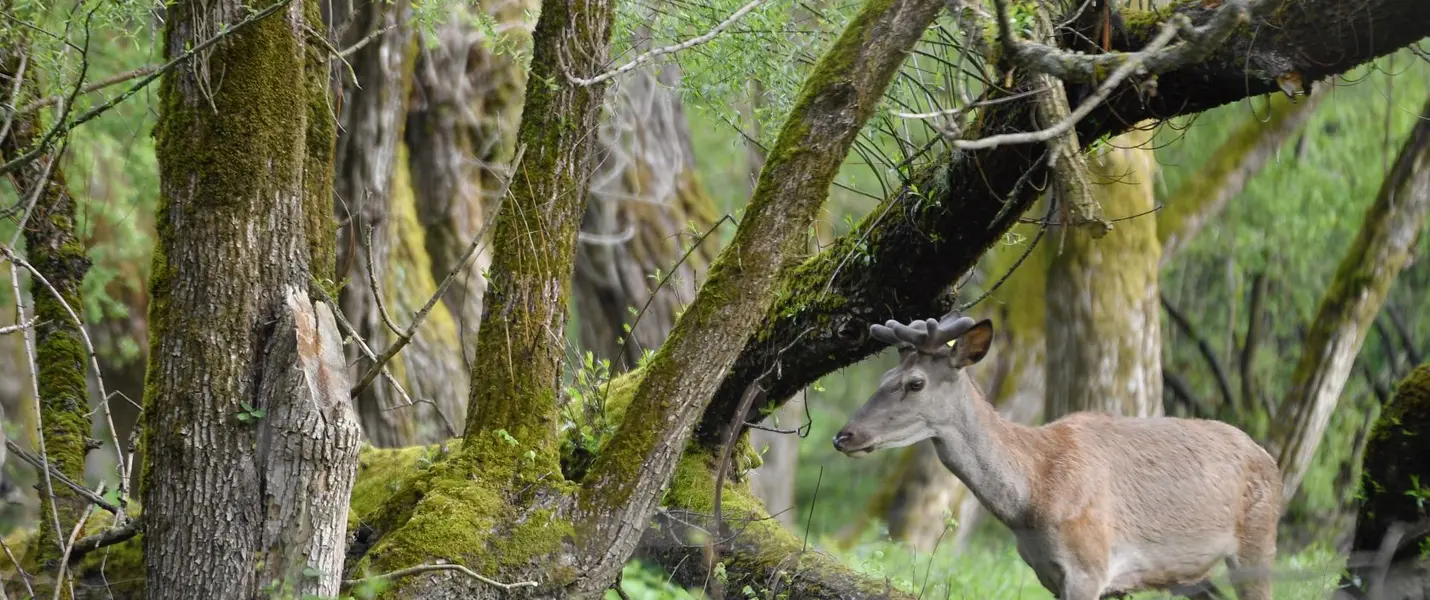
column 518, row 359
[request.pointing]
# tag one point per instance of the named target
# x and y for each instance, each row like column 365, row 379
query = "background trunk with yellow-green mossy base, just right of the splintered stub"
column 375, row 199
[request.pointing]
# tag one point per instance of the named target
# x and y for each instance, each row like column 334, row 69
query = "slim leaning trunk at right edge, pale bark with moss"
column 1352, row 304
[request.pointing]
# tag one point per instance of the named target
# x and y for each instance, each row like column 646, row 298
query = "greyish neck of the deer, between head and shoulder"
column 989, row 454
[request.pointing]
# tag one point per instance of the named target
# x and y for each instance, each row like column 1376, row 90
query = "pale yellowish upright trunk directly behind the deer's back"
column 1105, row 321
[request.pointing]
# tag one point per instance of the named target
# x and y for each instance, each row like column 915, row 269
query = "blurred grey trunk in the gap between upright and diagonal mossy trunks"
column 647, row 209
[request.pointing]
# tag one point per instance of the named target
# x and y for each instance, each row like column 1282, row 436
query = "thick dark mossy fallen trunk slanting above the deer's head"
column 902, row 259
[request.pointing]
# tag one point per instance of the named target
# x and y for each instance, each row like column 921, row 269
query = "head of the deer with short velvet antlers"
column 926, row 392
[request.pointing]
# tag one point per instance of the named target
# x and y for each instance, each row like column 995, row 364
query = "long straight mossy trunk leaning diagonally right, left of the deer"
column 837, row 99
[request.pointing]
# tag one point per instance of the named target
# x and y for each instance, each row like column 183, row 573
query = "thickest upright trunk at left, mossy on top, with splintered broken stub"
column 251, row 445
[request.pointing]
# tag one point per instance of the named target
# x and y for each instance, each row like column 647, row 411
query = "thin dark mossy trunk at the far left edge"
column 55, row 251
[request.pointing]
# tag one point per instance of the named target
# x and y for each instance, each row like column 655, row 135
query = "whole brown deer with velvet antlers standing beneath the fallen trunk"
column 1100, row 506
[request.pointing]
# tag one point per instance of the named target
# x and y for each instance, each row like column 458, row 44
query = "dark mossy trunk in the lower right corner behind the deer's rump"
column 1394, row 525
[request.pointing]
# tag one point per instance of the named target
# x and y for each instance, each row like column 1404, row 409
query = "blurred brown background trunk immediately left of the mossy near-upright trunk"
column 465, row 108
